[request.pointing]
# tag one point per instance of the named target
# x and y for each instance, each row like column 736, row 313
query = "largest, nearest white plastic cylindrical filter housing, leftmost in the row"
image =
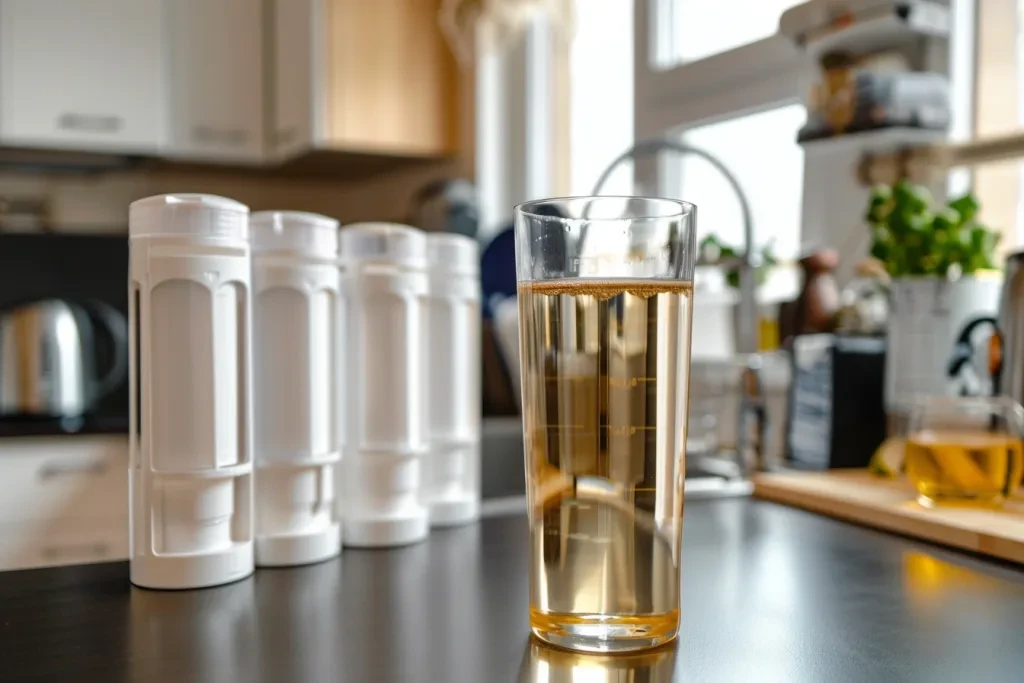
column 191, row 444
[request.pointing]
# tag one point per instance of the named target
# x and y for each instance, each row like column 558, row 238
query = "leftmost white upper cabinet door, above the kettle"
column 82, row 75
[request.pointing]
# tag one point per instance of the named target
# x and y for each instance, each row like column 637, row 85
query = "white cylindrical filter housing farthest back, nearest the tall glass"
column 452, row 364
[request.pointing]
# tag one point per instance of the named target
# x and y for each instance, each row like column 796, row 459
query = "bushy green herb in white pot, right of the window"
column 942, row 260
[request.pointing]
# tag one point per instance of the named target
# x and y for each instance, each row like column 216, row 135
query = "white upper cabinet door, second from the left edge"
column 217, row 75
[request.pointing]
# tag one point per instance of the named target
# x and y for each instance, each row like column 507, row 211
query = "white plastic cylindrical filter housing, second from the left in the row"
column 295, row 373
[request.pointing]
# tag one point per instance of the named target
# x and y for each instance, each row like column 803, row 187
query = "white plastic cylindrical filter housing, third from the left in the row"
column 385, row 282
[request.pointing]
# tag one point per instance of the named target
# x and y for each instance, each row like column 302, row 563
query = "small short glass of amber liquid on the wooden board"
column 965, row 451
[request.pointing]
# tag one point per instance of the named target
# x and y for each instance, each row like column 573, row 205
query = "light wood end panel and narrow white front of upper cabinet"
column 363, row 76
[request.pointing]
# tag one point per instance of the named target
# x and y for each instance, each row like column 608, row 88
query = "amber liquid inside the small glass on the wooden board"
column 964, row 466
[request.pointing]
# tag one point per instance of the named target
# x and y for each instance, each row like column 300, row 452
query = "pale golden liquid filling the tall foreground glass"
column 606, row 380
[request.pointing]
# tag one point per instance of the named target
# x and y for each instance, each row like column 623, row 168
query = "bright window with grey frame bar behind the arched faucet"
column 735, row 90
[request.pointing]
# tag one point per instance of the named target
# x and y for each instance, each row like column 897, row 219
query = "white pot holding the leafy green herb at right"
column 927, row 316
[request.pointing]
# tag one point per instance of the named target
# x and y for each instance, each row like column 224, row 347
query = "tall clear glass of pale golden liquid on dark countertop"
column 606, row 297
